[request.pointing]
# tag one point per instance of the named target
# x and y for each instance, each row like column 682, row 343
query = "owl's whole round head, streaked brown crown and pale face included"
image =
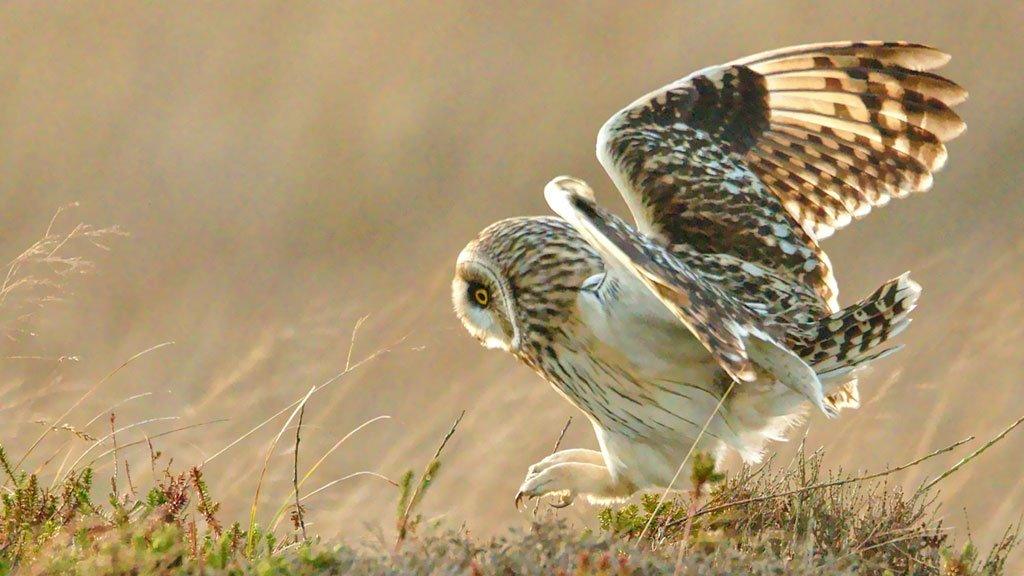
column 519, row 279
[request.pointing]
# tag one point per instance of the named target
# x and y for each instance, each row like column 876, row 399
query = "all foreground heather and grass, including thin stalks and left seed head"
column 794, row 518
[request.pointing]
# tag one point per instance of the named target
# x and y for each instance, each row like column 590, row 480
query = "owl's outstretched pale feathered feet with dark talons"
column 570, row 480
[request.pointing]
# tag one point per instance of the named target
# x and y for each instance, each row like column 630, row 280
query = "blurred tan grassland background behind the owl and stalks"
column 287, row 169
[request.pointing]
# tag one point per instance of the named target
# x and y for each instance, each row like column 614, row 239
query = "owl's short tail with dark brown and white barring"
column 837, row 346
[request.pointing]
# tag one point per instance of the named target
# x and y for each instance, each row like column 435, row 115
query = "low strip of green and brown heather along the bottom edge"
column 795, row 519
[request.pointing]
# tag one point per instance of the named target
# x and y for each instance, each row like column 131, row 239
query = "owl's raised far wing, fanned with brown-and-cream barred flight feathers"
column 764, row 156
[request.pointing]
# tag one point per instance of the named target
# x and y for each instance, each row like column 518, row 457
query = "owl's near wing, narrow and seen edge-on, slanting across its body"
column 737, row 336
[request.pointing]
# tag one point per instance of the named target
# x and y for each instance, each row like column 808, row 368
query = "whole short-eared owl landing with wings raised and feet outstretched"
column 714, row 319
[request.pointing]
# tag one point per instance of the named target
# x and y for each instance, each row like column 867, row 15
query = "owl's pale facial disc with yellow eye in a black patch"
column 482, row 300
